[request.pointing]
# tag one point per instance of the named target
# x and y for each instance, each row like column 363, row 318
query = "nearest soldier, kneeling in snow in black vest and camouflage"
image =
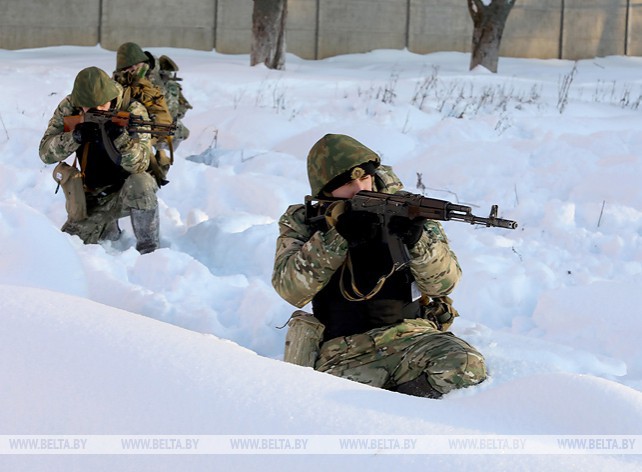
column 376, row 330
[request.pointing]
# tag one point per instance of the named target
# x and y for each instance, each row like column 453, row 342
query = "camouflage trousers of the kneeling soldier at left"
column 138, row 192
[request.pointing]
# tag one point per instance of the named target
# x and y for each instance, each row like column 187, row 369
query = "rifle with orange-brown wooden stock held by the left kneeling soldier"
column 132, row 123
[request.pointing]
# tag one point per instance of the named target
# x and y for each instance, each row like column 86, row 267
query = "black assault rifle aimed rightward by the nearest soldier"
column 411, row 206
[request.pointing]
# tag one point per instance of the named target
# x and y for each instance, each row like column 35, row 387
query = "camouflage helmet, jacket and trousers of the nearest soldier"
column 390, row 354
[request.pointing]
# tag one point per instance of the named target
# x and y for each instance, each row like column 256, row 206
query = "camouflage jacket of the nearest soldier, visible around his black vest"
column 306, row 259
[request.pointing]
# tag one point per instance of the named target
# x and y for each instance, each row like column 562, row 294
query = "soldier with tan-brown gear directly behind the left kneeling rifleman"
column 132, row 66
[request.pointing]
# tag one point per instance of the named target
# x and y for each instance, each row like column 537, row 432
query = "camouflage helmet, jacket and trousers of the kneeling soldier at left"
column 93, row 87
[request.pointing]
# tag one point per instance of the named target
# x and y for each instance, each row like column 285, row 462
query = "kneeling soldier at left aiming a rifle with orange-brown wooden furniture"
column 105, row 190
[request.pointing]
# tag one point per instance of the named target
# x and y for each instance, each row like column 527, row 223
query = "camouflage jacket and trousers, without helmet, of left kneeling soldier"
column 139, row 188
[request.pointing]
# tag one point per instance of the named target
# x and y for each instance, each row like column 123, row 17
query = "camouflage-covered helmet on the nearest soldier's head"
column 332, row 156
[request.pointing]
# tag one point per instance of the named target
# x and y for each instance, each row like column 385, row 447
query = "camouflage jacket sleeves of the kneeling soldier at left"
column 56, row 144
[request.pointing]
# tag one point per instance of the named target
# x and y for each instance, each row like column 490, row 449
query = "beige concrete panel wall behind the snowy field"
column 567, row 29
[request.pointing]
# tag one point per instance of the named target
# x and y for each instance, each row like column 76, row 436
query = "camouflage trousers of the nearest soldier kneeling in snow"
column 389, row 356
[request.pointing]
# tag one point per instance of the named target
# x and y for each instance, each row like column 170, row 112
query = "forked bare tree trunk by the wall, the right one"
column 489, row 18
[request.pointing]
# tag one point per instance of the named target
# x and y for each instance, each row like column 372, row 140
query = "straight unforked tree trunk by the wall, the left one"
column 268, row 33
